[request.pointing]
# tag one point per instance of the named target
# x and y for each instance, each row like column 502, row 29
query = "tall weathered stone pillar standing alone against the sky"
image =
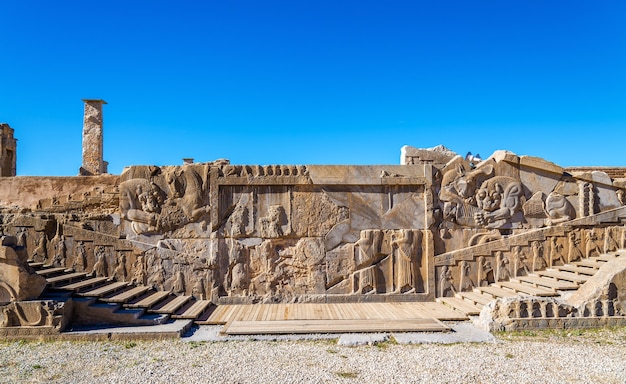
column 93, row 163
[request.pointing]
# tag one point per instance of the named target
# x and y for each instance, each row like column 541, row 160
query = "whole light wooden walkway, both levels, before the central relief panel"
column 333, row 318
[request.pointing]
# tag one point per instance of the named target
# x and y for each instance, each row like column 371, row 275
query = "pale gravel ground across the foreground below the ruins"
column 592, row 356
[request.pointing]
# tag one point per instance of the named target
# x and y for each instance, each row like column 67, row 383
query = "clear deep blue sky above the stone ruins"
column 313, row 82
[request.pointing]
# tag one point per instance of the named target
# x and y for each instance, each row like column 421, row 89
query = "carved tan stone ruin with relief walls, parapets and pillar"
column 437, row 227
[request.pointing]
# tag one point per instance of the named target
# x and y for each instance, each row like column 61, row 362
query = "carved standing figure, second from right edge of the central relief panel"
column 404, row 263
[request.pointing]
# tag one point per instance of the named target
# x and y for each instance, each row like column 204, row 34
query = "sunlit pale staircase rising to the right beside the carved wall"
column 555, row 281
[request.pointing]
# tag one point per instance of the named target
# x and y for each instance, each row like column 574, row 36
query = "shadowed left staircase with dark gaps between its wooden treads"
column 118, row 302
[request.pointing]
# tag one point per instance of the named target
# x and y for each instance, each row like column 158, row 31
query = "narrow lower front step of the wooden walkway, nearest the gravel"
column 333, row 326
